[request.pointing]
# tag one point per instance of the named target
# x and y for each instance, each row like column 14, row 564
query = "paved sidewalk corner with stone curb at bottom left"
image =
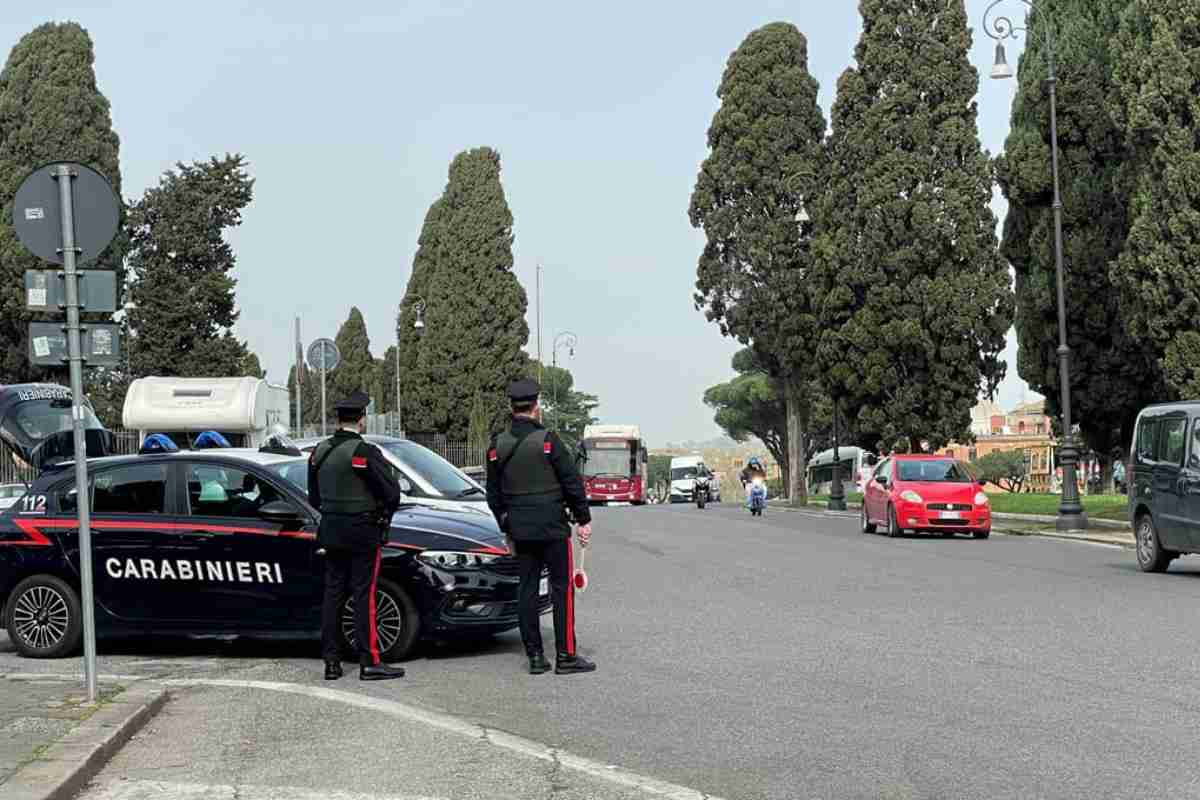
column 52, row 741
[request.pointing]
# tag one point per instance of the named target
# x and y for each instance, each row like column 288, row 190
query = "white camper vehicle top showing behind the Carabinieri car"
column 244, row 411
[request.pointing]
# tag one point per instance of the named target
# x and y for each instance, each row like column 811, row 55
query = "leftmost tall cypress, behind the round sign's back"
column 51, row 110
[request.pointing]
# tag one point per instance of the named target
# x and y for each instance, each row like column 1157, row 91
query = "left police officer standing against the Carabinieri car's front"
column 353, row 488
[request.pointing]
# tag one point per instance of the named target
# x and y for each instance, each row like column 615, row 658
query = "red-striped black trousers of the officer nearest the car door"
column 351, row 573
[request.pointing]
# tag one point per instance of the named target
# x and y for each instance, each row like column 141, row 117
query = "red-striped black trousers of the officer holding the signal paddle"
column 556, row 556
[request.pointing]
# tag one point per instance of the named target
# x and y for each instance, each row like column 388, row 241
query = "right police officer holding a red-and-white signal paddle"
column 531, row 477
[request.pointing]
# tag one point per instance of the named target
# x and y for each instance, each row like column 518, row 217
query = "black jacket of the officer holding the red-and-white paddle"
column 543, row 521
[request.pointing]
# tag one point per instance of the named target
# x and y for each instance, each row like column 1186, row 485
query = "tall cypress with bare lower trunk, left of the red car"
column 766, row 161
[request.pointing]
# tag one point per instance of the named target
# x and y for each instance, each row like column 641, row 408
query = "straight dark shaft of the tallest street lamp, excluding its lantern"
column 1071, row 510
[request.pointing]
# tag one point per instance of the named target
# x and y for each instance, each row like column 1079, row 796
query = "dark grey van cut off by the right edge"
column 1165, row 484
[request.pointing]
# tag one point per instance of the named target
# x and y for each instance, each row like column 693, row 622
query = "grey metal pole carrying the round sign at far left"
column 67, row 202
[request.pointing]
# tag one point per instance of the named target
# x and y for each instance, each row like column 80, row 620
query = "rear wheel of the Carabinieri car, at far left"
column 45, row 619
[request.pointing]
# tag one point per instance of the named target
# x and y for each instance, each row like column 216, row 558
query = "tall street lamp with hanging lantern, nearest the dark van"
column 1071, row 512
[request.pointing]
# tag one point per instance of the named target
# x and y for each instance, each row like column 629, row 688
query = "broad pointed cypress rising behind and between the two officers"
column 475, row 305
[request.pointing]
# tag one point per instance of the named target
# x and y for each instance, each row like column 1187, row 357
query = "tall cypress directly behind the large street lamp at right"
column 1112, row 376
